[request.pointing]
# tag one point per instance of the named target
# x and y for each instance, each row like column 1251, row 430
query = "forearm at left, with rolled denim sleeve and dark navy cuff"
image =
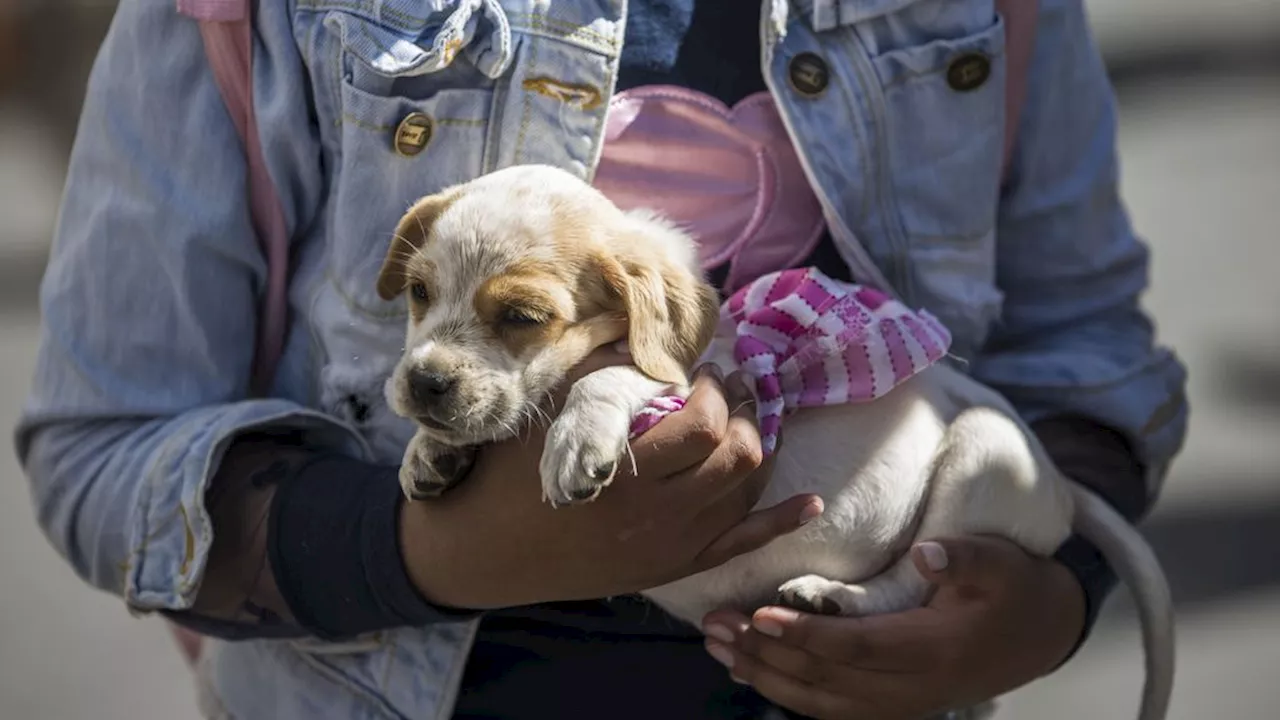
column 246, row 521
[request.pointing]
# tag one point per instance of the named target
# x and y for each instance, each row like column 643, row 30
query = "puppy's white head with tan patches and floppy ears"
column 519, row 276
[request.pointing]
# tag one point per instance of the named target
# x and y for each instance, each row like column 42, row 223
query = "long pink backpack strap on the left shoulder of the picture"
column 227, row 30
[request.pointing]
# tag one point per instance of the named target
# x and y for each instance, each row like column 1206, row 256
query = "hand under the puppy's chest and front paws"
column 493, row 543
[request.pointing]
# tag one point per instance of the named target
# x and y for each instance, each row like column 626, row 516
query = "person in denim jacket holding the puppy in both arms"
column 966, row 157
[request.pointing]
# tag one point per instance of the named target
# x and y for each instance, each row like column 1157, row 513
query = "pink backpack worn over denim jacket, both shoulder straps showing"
column 226, row 28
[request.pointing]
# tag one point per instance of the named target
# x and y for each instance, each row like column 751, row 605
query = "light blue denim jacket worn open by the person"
column 150, row 298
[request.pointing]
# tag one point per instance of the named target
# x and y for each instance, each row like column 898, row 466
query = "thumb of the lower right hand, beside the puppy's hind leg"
column 979, row 563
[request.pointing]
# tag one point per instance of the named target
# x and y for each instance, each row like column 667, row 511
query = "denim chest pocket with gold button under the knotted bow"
column 415, row 94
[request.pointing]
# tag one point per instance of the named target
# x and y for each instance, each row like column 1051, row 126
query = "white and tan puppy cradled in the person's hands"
column 516, row 277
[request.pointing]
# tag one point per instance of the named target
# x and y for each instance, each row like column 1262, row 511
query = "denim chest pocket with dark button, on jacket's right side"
column 941, row 71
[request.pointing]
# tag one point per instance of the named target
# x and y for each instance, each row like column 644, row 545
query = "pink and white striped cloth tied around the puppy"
column 807, row 340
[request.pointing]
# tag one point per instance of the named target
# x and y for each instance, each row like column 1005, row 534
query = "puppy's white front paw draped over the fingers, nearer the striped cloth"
column 583, row 450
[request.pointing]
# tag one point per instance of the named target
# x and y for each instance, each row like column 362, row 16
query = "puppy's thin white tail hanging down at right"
column 1139, row 568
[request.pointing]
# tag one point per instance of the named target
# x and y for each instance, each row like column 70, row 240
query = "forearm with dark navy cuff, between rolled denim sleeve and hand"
column 308, row 543
